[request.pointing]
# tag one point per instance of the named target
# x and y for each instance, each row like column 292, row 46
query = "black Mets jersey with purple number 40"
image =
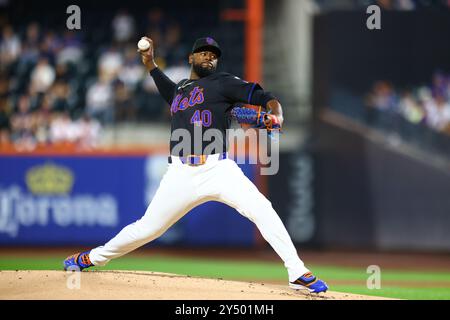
column 200, row 111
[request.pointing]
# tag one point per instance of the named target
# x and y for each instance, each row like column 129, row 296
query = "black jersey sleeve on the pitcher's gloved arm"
column 236, row 90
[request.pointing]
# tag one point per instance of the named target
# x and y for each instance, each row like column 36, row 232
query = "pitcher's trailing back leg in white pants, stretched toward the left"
column 173, row 199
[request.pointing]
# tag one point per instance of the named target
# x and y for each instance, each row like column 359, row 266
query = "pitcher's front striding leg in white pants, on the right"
column 248, row 201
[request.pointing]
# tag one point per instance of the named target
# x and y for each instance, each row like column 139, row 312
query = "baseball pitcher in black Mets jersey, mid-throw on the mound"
column 196, row 172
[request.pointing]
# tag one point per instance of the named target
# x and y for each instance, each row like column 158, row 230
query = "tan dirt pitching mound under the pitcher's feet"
column 110, row 285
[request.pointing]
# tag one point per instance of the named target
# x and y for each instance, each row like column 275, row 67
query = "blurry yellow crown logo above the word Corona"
column 49, row 179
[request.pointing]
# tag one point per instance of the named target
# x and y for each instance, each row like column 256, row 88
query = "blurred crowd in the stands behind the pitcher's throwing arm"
column 58, row 86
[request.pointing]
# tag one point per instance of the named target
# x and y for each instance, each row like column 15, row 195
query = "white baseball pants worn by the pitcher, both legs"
column 184, row 187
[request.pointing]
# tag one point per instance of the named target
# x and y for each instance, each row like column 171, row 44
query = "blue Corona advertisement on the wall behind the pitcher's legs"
column 88, row 200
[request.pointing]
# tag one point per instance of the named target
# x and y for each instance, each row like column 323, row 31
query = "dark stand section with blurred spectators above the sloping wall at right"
column 395, row 80
